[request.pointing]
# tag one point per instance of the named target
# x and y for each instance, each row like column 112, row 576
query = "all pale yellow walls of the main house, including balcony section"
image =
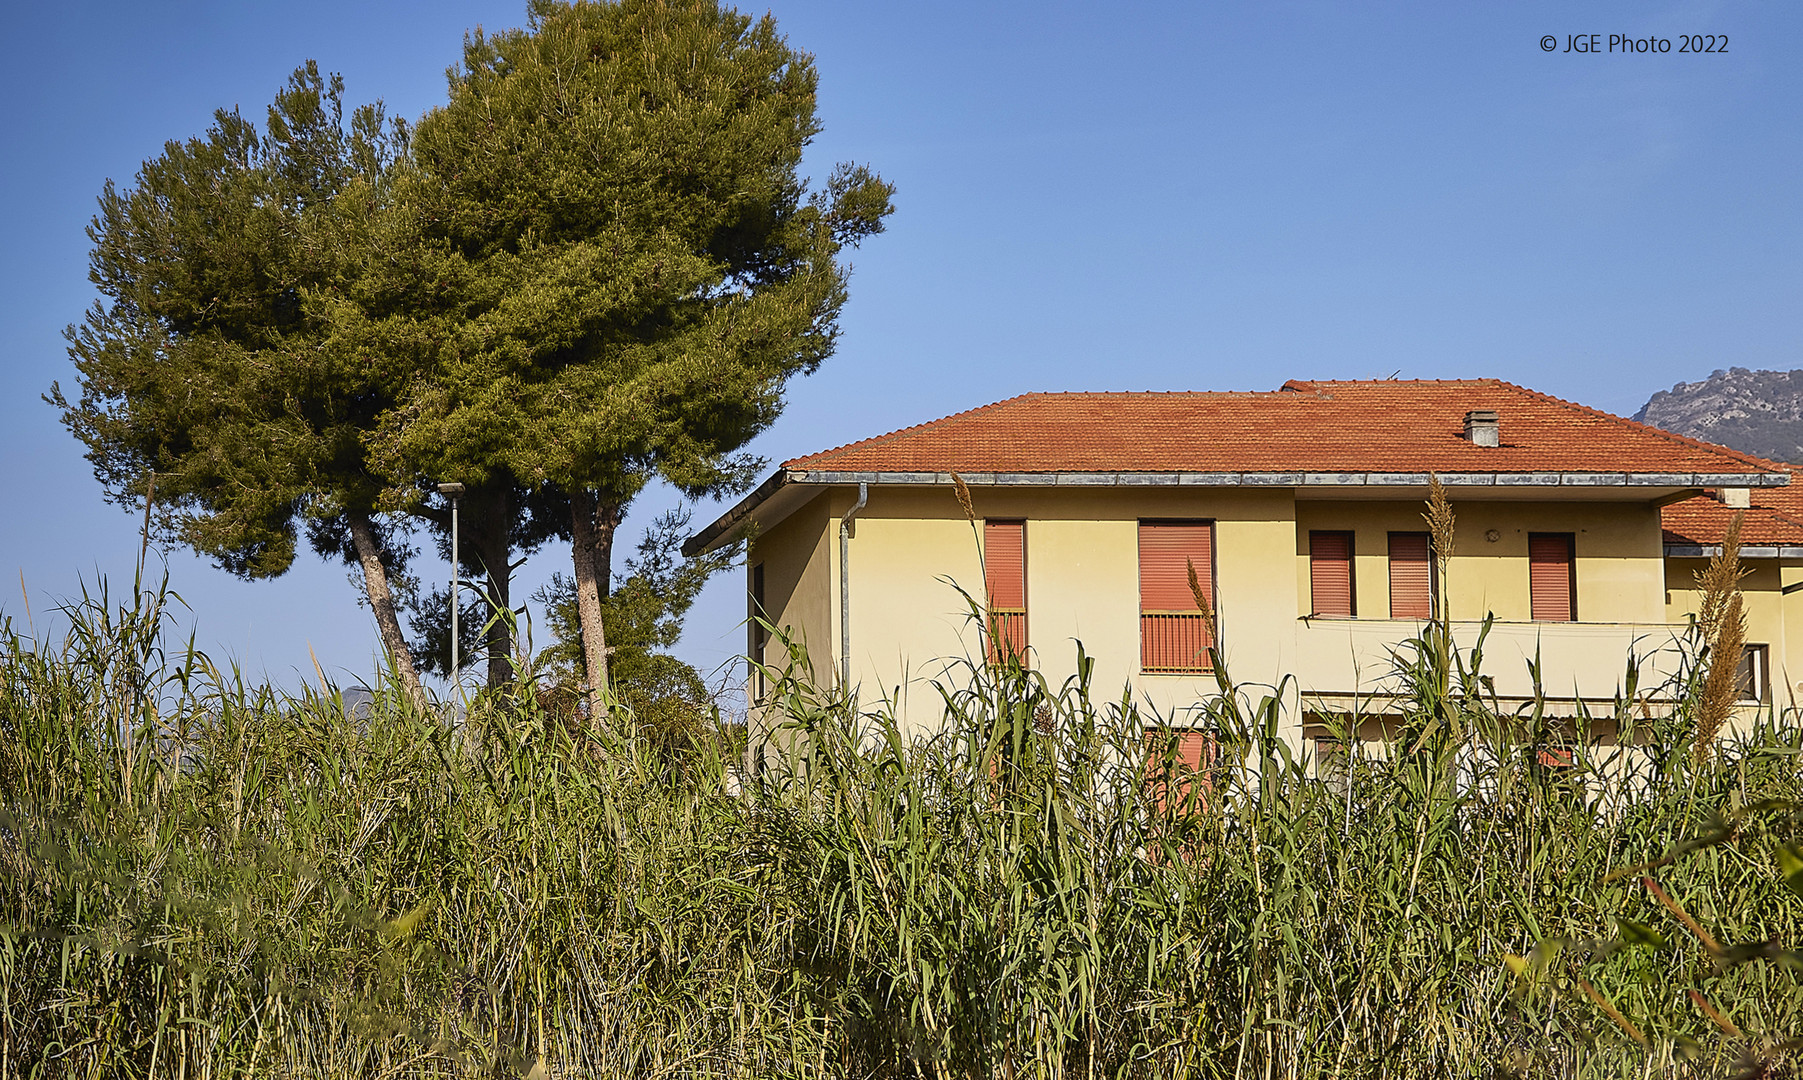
column 913, row 545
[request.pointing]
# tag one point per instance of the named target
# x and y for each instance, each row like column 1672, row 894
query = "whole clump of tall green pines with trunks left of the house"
column 592, row 268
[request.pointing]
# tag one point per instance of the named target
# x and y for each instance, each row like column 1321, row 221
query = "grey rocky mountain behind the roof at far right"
column 1752, row 412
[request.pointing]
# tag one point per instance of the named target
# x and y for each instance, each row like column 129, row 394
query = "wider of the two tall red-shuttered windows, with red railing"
column 1173, row 632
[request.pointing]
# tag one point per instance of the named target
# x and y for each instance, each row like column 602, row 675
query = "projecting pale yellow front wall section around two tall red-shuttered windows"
column 1083, row 554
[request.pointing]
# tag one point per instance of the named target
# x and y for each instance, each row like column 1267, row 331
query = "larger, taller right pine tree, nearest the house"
column 627, row 264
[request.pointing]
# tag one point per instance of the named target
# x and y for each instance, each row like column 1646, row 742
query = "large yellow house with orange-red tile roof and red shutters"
column 1301, row 513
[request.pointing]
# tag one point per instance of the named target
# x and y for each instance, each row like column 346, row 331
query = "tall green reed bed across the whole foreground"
column 212, row 879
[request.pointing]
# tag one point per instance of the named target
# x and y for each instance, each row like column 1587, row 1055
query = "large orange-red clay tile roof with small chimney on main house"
column 1386, row 426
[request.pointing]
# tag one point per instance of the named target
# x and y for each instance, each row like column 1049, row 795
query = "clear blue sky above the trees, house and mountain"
column 1090, row 197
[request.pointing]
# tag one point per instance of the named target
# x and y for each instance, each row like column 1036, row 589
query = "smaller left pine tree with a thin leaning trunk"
column 248, row 347
